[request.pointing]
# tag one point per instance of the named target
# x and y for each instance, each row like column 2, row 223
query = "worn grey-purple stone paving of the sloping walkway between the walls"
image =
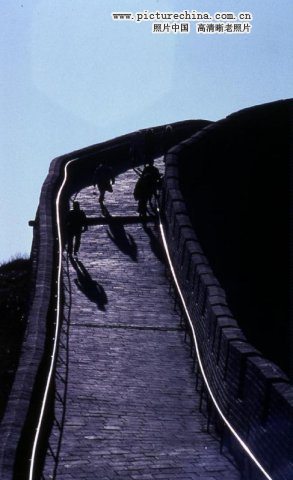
column 126, row 402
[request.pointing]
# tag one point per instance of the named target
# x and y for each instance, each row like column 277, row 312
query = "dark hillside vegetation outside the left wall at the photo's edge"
column 14, row 294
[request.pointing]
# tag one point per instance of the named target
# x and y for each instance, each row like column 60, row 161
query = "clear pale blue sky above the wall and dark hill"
column 71, row 77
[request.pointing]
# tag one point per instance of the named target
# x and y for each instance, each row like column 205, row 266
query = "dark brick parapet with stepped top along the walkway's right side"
column 252, row 392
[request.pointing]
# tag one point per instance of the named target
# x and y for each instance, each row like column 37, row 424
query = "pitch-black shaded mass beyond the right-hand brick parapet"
column 235, row 181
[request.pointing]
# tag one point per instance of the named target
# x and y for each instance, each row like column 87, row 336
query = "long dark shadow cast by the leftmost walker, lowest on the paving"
column 89, row 287
